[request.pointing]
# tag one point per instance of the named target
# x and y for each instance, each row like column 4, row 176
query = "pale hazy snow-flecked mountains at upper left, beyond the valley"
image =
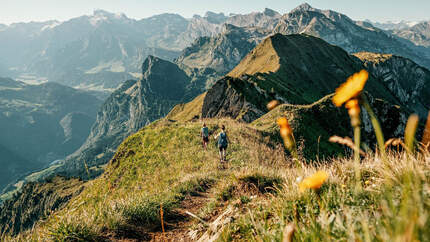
column 100, row 50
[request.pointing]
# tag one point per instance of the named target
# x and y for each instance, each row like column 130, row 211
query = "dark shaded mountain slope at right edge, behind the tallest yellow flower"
column 406, row 80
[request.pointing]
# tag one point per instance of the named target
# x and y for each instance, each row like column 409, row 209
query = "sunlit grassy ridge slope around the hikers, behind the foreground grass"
column 159, row 164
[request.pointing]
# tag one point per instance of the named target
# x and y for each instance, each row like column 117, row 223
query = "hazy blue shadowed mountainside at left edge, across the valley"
column 40, row 124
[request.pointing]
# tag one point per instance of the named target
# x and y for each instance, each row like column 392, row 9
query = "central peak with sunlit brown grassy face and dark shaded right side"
column 295, row 69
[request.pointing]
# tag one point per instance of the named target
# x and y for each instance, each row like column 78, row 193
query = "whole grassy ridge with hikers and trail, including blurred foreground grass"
column 165, row 164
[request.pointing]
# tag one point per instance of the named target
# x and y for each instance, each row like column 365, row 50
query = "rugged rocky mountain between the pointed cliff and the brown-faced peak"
column 209, row 58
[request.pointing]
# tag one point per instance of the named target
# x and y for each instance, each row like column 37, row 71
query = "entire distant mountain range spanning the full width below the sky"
column 102, row 50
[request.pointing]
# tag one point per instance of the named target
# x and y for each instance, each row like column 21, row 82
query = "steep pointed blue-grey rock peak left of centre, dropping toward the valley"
column 128, row 109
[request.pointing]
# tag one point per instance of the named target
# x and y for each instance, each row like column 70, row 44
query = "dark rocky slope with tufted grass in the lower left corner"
column 36, row 201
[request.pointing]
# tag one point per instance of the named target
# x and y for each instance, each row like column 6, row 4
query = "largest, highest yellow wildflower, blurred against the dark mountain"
column 351, row 88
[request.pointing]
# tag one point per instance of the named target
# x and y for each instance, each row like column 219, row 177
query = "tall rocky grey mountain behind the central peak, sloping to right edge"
column 340, row 30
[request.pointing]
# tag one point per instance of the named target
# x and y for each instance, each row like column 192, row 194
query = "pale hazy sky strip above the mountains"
column 377, row 10
